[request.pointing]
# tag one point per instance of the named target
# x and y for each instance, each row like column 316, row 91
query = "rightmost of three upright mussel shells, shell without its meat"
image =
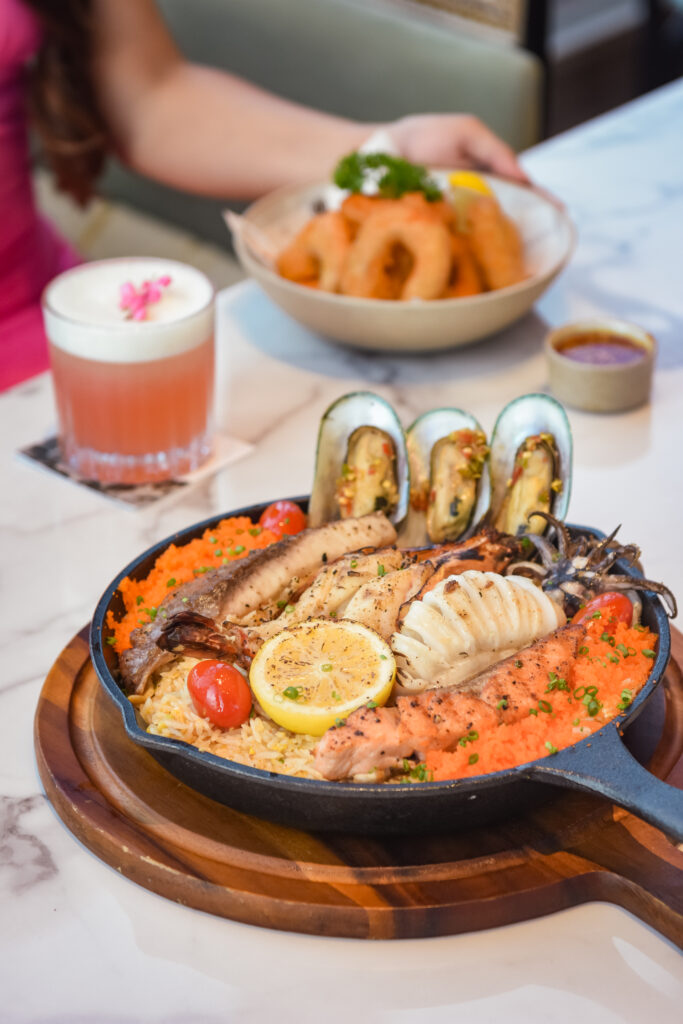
column 529, row 415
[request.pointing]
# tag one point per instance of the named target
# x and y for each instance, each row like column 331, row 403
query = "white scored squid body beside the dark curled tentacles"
column 467, row 623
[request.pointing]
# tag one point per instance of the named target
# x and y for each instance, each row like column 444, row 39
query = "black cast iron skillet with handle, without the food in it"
column 601, row 763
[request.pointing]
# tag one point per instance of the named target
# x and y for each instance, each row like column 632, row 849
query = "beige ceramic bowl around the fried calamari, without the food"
column 548, row 237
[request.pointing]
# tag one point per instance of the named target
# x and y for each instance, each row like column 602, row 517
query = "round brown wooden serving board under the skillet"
column 166, row 837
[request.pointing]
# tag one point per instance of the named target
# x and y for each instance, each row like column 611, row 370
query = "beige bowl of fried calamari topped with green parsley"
column 394, row 258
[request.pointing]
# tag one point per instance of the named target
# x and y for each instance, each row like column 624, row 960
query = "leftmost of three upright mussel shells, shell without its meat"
column 338, row 423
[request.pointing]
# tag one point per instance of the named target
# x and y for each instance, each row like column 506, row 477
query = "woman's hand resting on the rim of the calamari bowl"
column 455, row 141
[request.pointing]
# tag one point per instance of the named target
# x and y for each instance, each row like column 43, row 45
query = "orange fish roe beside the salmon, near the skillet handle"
column 608, row 674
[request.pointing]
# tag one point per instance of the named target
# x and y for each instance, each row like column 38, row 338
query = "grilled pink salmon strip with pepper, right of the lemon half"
column 379, row 739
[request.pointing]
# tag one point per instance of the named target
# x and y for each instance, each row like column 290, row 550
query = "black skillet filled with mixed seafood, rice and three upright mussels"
column 421, row 646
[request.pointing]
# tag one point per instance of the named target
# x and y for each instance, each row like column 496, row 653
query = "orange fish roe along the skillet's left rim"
column 231, row 540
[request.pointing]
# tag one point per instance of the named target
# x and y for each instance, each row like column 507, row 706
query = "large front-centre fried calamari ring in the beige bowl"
column 381, row 241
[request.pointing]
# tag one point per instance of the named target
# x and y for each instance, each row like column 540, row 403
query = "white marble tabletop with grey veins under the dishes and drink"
column 78, row 943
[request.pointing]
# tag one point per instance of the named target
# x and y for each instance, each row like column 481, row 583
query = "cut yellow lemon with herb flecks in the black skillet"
column 311, row 676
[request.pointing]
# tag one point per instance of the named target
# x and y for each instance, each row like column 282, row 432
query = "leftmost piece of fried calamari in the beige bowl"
column 319, row 252
